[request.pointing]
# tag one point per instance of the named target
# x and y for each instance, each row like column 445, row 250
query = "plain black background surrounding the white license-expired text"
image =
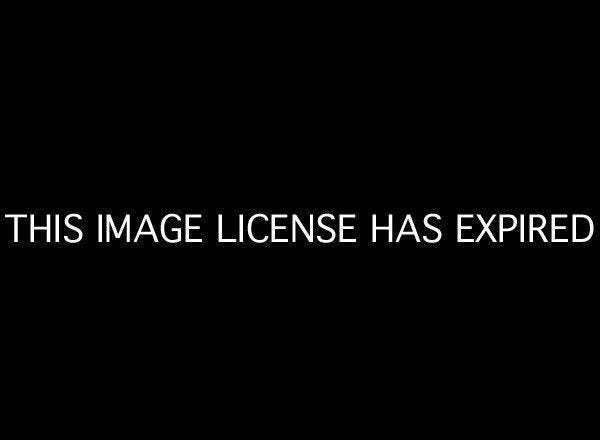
column 368, row 113
